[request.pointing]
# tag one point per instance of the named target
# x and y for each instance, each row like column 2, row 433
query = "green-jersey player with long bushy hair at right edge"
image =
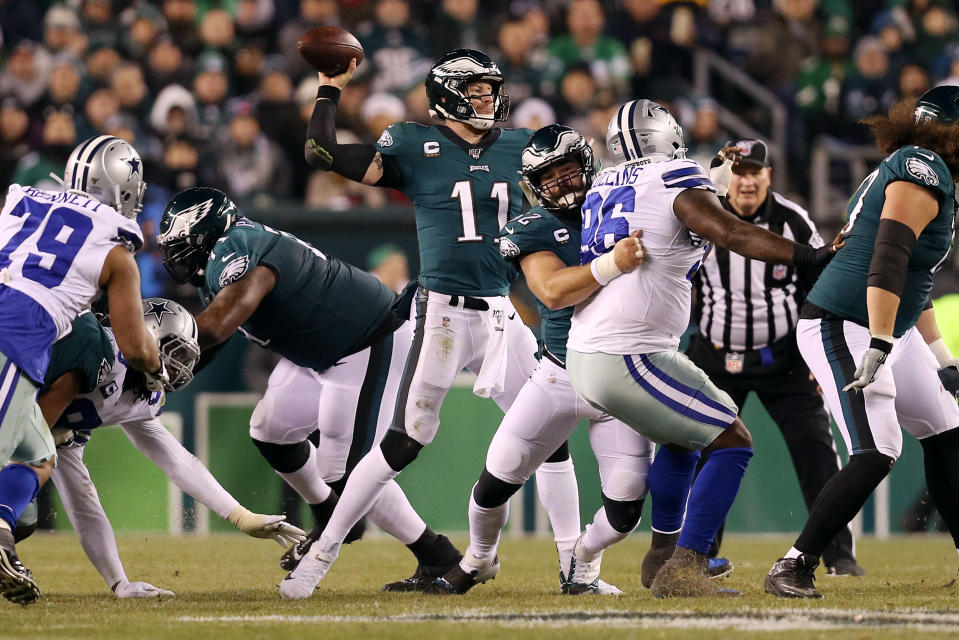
column 868, row 331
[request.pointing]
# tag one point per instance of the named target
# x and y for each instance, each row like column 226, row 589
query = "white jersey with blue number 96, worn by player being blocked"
column 647, row 310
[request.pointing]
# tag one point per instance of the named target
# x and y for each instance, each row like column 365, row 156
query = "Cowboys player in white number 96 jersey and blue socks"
column 622, row 349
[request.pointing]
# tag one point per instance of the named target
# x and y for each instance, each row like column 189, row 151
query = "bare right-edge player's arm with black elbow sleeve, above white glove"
column 913, row 207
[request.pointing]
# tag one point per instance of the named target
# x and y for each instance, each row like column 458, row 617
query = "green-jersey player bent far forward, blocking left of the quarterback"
column 342, row 362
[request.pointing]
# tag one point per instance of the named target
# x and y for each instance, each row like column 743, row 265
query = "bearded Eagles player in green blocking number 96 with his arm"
column 557, row 170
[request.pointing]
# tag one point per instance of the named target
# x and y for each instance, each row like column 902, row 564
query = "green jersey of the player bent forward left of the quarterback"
column 321, row 309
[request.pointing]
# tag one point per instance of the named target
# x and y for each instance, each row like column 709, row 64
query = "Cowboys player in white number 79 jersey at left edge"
column 57, row 250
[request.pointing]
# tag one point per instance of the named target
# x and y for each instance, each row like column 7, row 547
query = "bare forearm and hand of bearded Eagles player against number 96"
column 558, row 286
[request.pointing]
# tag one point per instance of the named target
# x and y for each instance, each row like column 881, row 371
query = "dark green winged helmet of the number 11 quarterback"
column 446, row 88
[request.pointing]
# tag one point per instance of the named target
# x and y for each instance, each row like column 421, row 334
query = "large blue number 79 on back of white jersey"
column 62, row 238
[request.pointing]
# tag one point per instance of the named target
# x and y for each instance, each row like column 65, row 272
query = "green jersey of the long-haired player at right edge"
column 841, row 289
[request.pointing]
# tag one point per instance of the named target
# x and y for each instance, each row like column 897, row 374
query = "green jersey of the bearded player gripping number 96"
column 539, row 230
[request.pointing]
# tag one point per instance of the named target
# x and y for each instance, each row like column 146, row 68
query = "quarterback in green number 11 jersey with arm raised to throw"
column 461, row 178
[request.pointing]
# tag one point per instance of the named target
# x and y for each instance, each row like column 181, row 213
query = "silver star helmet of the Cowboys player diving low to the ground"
column 176, row 332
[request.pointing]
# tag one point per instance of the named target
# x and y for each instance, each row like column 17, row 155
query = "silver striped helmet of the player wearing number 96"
column 644, row 129
